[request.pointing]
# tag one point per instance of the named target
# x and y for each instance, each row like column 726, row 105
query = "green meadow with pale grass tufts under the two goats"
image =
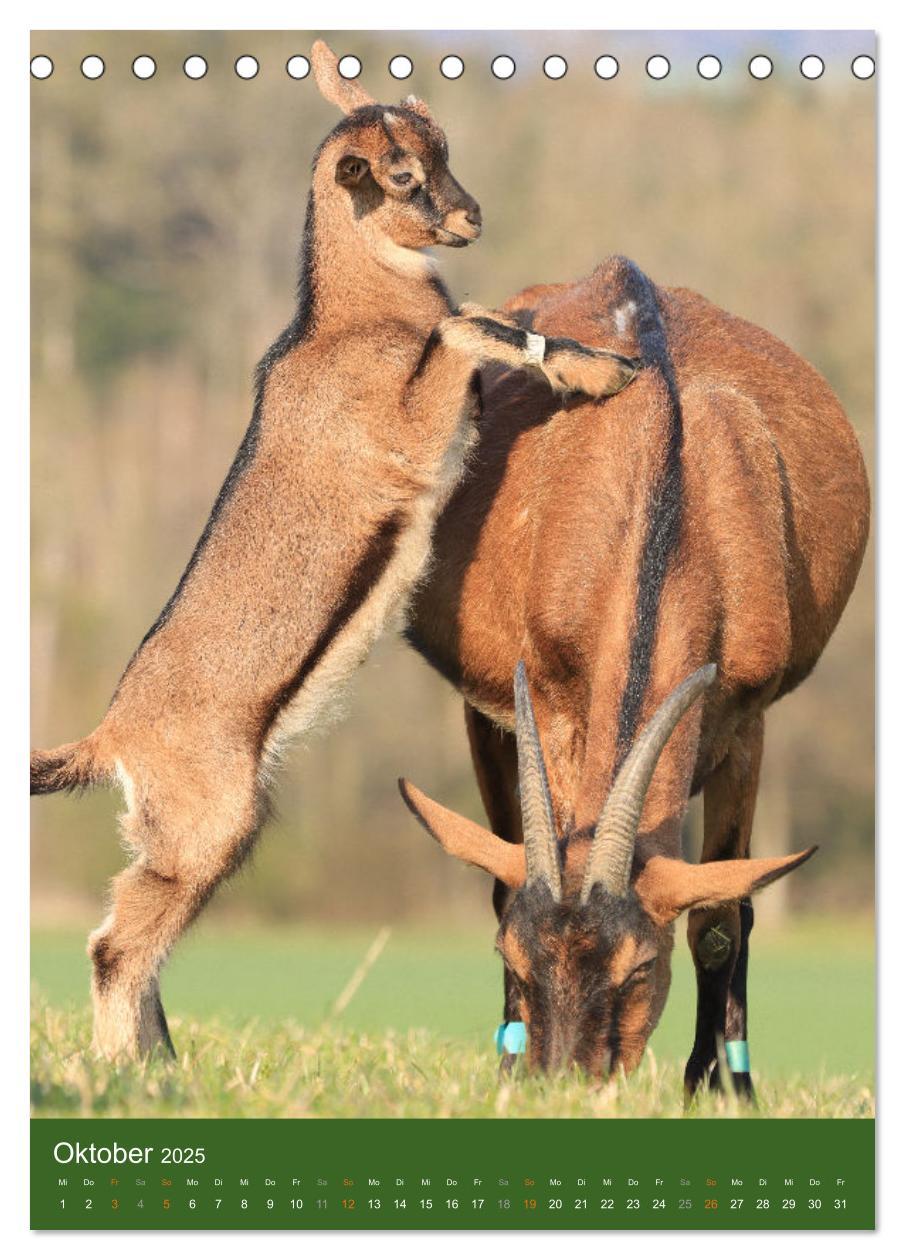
column 250, row 1015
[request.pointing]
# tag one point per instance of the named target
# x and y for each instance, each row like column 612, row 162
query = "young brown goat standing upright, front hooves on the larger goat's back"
column 365, row 410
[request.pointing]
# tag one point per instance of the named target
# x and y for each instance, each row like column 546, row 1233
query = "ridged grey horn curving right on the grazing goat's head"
column 609, row 861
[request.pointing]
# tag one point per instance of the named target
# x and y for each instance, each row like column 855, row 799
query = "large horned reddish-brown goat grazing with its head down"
column 717, row 512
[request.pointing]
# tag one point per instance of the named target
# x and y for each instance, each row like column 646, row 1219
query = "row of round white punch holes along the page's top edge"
column 453, row 67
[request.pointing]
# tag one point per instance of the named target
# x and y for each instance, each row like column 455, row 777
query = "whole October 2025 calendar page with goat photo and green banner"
column 453, row 631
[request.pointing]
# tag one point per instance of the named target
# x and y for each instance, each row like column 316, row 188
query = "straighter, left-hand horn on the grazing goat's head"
column 541, row 859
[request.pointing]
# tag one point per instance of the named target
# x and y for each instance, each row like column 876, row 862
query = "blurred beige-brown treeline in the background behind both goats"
column 167, row 221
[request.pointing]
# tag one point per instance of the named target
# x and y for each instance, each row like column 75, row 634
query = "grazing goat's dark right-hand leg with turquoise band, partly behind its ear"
column 719, row 938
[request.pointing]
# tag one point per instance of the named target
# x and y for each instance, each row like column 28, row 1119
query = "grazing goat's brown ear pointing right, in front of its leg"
column 667, row 886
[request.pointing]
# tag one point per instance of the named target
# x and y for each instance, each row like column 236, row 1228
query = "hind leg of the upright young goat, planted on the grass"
column 153, row 902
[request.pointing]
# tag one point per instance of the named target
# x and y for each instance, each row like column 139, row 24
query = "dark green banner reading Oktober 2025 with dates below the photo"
column 443, row 1175
